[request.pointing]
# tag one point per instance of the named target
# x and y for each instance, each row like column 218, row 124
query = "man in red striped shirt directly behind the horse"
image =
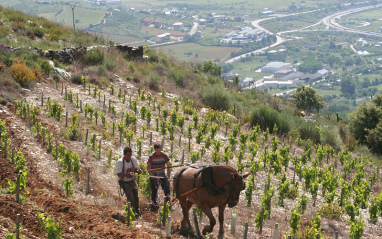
column 156, row 165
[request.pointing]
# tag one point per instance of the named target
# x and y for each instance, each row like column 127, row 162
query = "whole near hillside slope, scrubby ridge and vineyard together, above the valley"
column 308, row 173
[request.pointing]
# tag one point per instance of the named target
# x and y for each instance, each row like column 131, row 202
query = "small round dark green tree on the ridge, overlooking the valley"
column 307, row 98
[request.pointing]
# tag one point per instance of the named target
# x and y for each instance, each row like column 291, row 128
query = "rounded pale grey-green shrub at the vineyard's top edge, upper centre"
column 217, row 98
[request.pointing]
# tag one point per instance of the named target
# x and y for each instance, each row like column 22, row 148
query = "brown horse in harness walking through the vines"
column 209, row 187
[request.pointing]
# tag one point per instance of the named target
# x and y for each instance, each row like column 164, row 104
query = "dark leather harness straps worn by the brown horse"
column 206, row 172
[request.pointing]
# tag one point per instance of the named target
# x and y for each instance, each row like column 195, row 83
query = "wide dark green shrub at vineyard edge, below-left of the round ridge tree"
column 266, row 117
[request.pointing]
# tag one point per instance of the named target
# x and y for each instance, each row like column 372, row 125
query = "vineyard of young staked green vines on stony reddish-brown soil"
column 60, row 144
